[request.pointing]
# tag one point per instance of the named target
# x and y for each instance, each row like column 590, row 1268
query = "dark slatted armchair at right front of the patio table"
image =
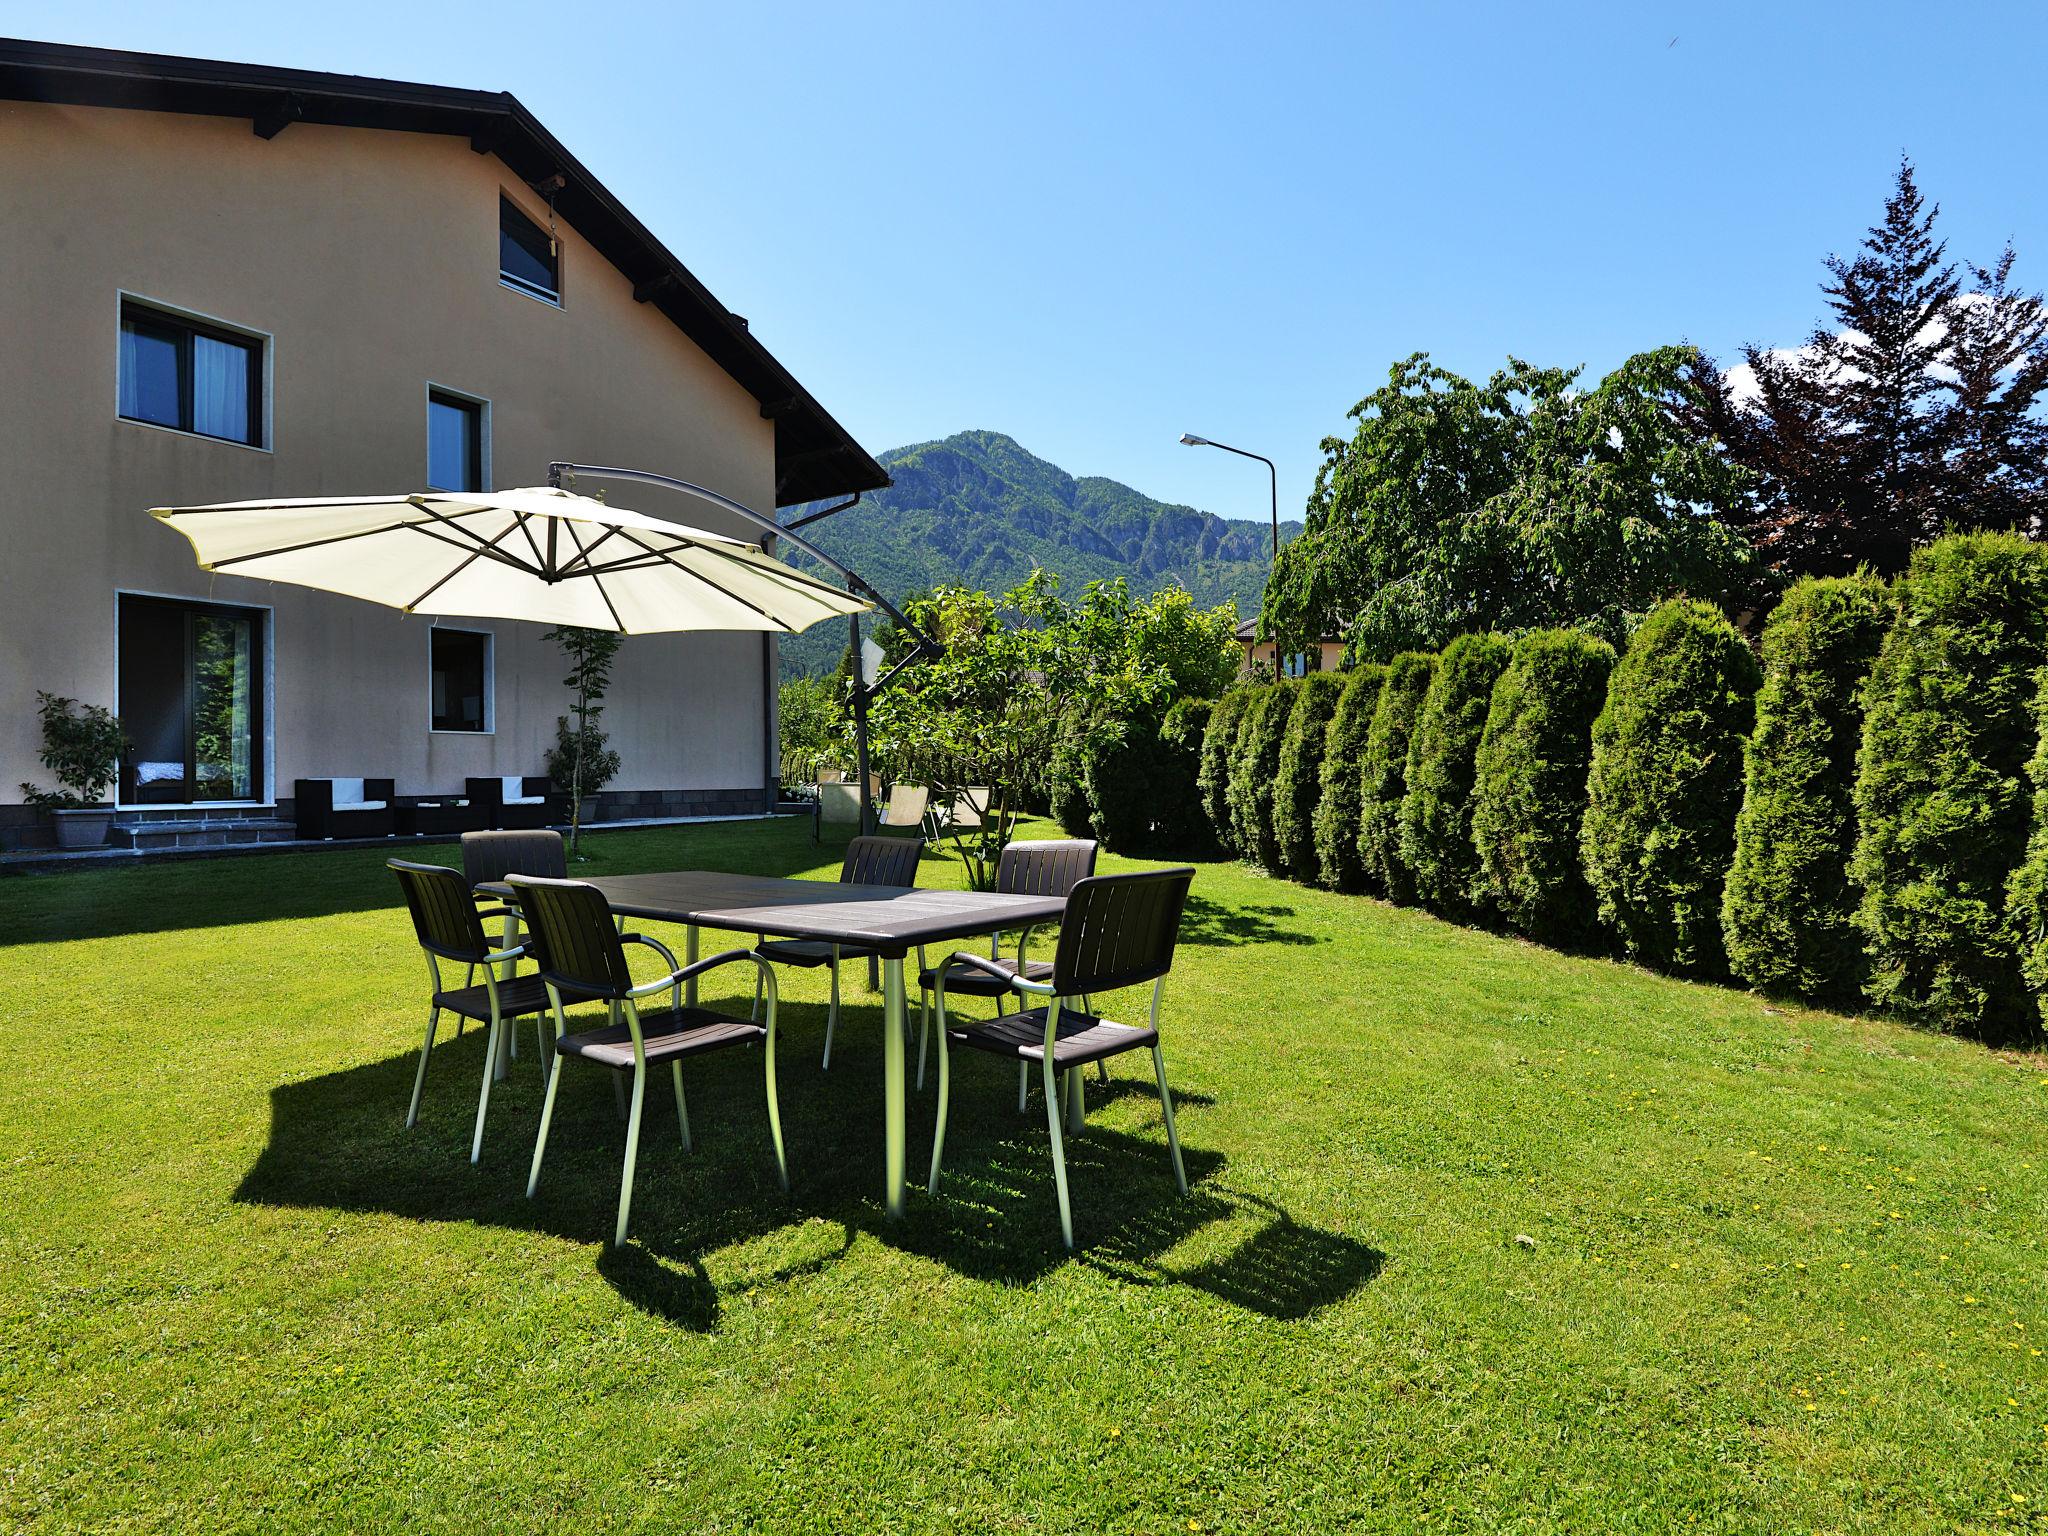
column 1119, row 933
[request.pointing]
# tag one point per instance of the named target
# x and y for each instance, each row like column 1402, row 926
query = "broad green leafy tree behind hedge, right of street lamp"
column 1514, row 505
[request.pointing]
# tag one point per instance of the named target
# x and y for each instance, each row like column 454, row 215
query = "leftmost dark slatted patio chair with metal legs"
column 450, row 929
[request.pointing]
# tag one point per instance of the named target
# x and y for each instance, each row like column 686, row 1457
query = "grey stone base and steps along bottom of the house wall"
column 28, row 837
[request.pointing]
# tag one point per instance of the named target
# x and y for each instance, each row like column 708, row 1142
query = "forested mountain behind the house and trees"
column 982, row 511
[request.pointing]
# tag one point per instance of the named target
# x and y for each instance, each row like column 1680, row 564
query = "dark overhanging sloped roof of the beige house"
column 816, row 458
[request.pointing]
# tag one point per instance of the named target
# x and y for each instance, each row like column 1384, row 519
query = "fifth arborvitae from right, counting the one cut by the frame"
column 1529, row 792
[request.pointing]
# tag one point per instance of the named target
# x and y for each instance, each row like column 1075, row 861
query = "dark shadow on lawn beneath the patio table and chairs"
column 339, row 1144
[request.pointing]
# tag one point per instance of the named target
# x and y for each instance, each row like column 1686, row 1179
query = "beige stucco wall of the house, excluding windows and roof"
column 372, row 259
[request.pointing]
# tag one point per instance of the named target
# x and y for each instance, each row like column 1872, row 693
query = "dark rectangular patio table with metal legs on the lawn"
column 892, row 921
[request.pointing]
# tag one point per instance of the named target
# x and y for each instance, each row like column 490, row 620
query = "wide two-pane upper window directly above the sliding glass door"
column 189, row 376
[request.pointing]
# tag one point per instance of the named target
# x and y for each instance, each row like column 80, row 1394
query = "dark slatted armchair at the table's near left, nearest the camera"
column 585, row 959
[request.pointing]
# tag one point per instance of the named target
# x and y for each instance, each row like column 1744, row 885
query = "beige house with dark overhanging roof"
column 232, row 284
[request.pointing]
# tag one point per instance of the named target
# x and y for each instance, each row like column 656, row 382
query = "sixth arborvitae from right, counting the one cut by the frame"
column 1437, row 812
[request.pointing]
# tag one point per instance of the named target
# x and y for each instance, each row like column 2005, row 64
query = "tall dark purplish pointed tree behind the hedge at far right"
column 1914, row 409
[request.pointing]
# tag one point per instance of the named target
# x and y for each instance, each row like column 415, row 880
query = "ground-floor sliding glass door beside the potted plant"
column 191, row 701
